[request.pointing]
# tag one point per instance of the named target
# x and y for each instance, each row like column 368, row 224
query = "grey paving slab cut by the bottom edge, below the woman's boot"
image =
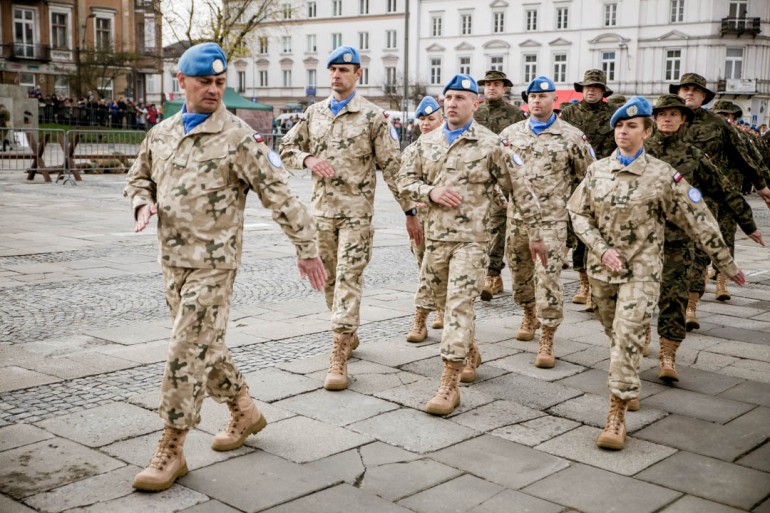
column 591, row 489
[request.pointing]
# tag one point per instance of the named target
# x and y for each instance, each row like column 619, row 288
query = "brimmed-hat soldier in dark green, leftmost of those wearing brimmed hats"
column 496, row 114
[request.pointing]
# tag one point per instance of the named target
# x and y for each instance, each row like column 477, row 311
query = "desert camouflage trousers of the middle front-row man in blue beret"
column 455, row 273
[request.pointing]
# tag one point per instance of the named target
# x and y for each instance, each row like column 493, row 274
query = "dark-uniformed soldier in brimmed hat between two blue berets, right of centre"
column 591, row 116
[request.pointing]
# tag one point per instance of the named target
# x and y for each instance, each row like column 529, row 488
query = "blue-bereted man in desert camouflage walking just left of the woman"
column 555, row 156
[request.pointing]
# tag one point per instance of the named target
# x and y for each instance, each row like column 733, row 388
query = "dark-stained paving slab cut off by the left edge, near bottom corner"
column 48, row 464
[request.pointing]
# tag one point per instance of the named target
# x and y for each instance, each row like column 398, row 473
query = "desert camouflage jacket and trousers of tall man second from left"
column 354, row 141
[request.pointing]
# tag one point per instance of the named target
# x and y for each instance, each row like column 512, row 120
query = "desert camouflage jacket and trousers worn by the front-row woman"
column 625, row 208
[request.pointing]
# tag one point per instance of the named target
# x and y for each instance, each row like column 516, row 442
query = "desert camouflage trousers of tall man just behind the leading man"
column 345, row 246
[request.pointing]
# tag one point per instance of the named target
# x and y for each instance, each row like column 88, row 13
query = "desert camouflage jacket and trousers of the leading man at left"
column 199, row 182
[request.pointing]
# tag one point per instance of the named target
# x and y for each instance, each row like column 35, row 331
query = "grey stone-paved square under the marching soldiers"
column 84, row 328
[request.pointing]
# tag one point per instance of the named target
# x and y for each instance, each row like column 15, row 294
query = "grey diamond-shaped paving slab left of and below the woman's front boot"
column 506, row 463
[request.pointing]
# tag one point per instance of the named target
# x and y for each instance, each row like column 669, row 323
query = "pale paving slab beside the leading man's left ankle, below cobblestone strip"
column 103, row 425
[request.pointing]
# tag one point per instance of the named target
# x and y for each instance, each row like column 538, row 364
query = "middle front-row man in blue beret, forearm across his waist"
column 455, row 170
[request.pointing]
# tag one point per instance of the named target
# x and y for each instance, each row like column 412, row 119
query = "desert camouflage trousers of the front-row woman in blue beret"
column 625, row 311
